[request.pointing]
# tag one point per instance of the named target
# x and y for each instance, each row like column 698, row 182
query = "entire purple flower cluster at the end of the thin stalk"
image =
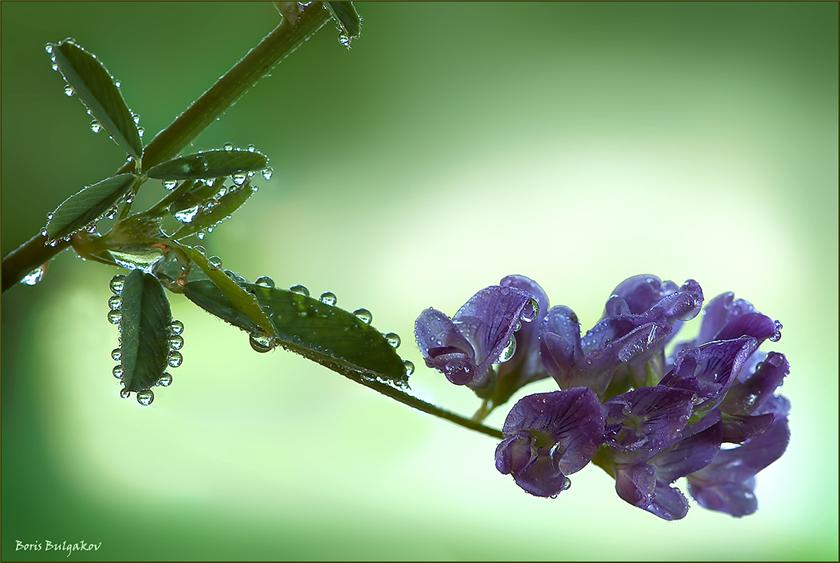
column 707, row 411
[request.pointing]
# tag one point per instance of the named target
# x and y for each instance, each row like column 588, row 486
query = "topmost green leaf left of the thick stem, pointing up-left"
column 97, row 90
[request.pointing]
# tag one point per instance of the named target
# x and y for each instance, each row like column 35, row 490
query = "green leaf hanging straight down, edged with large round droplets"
column 144, row 331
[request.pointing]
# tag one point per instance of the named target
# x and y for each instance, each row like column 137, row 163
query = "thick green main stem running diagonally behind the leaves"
column 275, row 46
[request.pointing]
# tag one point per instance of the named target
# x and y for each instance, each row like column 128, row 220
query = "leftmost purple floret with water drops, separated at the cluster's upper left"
column 483, row 333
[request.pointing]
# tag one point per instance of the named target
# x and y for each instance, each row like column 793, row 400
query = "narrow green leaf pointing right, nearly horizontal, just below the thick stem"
column 209, row 164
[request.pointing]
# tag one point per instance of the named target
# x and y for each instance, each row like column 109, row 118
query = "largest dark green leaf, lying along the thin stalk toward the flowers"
column 325, row 334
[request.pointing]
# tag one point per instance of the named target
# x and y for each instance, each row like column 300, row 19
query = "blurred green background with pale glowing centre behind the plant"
column 454, row 144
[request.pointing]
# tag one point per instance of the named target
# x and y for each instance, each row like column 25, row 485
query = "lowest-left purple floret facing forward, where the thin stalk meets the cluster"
column 549, row 436
